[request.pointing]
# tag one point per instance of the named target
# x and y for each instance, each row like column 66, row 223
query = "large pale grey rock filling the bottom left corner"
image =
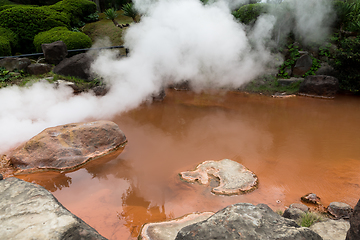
column 29, row 211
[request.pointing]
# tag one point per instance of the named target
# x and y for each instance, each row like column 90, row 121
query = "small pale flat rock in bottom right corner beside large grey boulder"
column 331, row 229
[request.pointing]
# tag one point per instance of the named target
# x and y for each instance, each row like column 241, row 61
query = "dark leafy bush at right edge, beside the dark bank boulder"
column 347, row 62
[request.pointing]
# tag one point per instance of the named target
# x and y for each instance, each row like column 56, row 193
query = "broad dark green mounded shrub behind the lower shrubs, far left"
column 26, row 22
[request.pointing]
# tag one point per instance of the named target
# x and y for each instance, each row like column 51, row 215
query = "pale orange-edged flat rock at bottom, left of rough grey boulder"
column 168, row 230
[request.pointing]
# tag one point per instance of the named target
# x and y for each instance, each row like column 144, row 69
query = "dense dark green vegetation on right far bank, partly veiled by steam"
column 340, row 50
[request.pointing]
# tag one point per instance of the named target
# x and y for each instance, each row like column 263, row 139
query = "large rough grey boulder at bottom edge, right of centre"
column 246, row 221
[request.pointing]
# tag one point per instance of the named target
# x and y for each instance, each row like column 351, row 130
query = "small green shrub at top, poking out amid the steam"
column 248, row 14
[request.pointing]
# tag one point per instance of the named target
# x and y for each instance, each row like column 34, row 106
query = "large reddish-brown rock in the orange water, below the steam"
column 67, row 147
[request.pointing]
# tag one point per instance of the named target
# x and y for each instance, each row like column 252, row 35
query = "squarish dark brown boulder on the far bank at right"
column 319, row 86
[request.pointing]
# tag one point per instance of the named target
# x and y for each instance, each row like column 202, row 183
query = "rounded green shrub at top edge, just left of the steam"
column 77, row 10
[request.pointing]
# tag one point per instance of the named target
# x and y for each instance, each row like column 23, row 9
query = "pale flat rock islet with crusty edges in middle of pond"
column 234, row 178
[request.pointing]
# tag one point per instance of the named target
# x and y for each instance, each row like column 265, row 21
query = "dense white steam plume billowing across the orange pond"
column 175, row 41
